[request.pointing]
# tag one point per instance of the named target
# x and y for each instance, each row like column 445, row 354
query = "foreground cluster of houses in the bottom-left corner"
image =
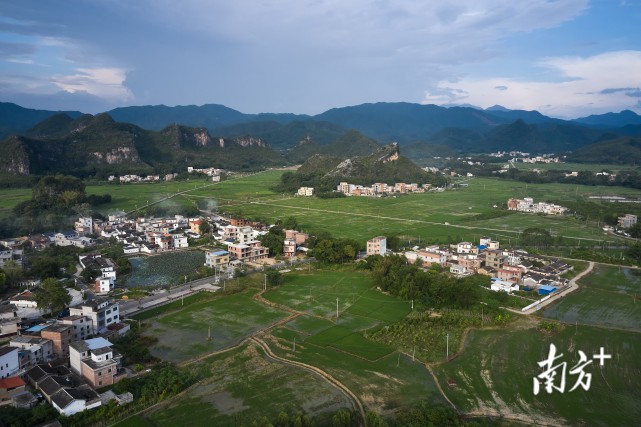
column 65, row 359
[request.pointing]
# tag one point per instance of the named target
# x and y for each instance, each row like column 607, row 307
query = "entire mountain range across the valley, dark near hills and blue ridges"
column 161, row 138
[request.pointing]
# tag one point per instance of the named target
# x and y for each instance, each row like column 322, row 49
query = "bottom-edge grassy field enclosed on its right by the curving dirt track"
column 242, row 385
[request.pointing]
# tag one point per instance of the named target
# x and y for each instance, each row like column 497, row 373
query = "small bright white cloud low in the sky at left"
column 102, row 82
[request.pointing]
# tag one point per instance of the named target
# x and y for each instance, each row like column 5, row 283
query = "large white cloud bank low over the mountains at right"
column 582, row 86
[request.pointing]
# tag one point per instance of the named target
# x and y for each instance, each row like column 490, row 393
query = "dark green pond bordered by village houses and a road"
column 164, row 269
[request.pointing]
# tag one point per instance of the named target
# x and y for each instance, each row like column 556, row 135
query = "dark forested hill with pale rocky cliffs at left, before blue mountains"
column 99, row 146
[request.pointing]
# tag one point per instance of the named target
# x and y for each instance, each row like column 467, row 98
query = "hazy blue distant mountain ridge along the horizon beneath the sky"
column 459, row 129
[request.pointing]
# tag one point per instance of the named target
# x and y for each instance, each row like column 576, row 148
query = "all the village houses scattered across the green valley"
column 67, row 357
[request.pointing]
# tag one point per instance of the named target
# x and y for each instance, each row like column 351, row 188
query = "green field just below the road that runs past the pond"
column 183, row 334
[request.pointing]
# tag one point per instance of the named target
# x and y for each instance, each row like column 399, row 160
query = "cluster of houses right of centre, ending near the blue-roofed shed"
column 510, row 270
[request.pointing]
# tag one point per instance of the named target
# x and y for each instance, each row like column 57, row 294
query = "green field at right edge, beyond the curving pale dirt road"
column 607, row 297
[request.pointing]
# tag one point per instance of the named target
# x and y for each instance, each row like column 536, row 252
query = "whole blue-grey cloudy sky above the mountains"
column 566, row 58
